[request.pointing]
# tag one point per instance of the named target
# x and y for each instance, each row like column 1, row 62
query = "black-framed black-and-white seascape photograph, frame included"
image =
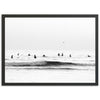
column 49, row 49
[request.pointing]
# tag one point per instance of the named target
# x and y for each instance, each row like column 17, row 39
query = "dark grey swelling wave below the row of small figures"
column 48, row 63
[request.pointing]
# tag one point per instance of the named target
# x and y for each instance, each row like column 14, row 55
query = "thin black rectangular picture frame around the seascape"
column 55, row 16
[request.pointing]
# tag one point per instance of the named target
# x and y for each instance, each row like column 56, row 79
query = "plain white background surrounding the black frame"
column 49, row 7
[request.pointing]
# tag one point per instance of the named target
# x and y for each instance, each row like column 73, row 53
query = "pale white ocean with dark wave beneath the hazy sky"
column 71, row 67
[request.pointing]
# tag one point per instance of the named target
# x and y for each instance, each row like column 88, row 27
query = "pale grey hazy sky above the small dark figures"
column 50, row 33
